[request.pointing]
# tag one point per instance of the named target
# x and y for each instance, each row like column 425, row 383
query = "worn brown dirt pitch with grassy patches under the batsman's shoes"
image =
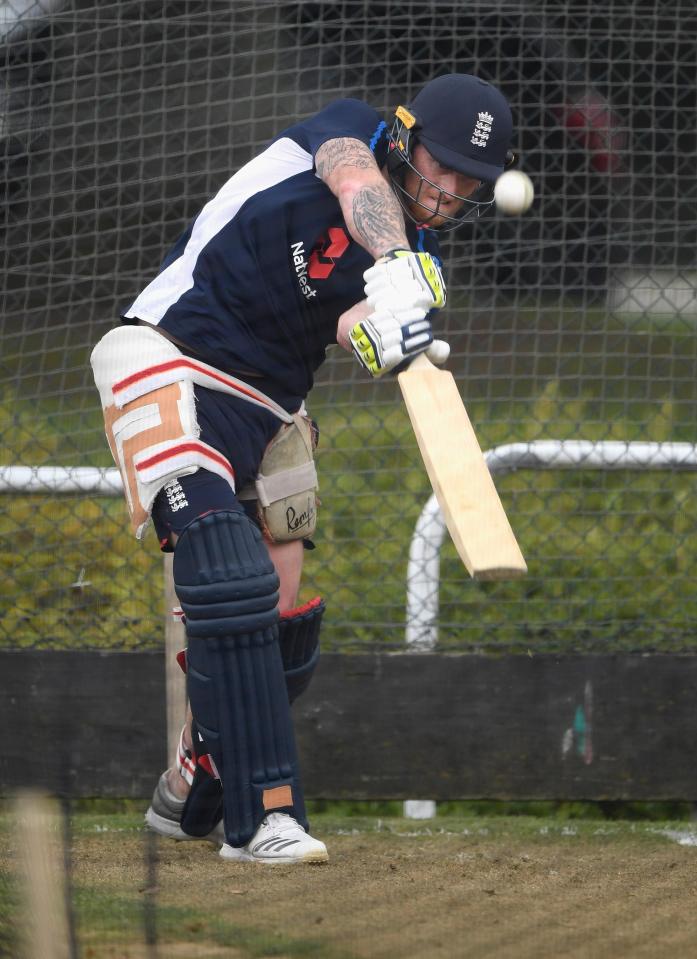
column 495, row 888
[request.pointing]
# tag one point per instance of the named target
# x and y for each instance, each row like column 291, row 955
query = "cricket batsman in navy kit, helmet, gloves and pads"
column 329, row 235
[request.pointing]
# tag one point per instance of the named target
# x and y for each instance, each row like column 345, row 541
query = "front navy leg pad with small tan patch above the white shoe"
column 227, row 586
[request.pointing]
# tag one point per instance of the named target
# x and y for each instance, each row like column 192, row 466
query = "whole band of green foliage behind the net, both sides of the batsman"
column 610, row 554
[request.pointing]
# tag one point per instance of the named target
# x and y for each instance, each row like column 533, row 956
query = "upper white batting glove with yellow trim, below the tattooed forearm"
column 408, row 275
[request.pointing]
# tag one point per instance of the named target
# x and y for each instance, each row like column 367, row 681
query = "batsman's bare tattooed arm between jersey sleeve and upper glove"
column 371, row 210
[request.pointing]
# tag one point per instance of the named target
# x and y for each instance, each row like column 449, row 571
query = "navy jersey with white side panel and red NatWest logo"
column 260, row 278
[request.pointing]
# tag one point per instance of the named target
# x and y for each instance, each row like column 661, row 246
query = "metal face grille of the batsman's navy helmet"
column 402, row 142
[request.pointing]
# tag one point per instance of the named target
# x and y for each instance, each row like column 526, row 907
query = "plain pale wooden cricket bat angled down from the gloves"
column 460, row 478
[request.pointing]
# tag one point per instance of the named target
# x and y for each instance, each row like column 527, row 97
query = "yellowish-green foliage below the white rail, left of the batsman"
column 74, row 577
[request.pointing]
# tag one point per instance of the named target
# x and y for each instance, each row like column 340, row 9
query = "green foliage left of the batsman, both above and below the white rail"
column 71, row 573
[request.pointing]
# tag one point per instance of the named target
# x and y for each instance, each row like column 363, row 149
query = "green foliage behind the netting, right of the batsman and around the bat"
column 610, row 554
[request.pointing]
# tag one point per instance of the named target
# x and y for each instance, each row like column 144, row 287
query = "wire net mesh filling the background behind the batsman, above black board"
column 118, row 121
